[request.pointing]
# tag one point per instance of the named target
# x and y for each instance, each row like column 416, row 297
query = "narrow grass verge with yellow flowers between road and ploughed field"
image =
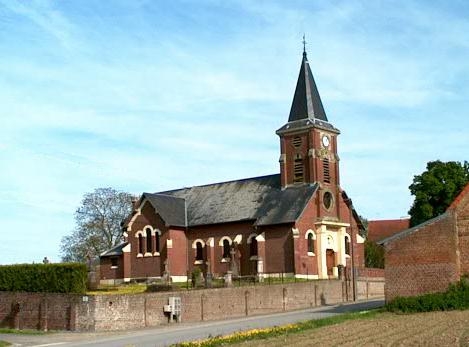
column 259, row 334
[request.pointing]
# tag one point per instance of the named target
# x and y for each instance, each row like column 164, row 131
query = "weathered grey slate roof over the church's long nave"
column 258, row 199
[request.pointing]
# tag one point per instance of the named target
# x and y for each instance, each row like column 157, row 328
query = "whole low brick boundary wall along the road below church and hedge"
column 117, row 312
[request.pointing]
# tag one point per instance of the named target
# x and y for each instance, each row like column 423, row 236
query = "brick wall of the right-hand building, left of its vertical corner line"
column 424, row 261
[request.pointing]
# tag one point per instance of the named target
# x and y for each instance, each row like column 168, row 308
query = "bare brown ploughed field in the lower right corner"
column 385, row 329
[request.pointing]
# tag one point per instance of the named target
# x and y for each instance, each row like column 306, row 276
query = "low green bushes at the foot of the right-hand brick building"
column 455, row 298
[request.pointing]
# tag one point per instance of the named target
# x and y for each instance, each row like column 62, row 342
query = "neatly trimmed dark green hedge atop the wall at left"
column 51, row 278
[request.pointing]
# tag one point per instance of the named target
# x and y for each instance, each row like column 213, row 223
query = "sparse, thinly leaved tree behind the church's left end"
column 98, row 224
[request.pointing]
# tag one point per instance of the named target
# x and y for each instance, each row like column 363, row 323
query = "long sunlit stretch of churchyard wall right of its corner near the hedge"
column 116, row 312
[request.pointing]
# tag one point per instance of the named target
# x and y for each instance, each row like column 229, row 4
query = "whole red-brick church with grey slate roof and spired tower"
column 298, row 222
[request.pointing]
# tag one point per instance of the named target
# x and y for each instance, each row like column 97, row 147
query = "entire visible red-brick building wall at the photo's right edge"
column 428, row 257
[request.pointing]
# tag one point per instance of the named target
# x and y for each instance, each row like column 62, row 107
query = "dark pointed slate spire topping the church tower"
column 306, row 102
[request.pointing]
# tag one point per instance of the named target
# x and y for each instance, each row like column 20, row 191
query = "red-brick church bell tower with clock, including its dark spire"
column 308, row 142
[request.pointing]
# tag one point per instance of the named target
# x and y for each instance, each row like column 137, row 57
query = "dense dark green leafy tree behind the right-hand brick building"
column 436, row 188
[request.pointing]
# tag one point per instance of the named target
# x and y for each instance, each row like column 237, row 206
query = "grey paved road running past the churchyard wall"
column 167, row 335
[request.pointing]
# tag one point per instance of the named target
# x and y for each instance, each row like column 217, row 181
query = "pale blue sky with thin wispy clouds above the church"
column 145, row 96
